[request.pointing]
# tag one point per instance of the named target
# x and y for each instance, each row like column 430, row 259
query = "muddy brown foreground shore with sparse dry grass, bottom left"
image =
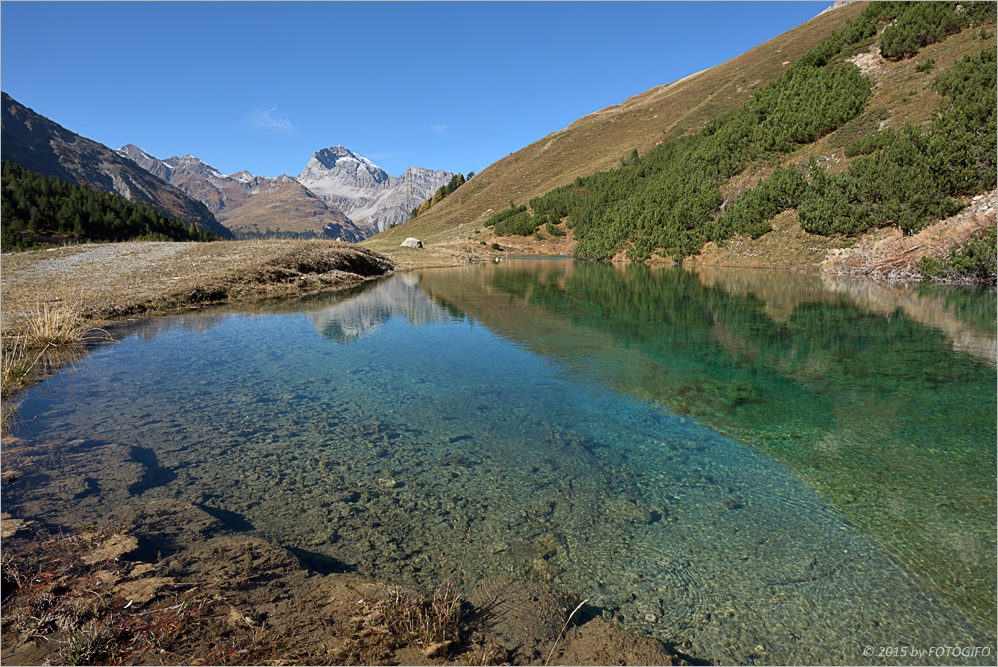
column 168, row 584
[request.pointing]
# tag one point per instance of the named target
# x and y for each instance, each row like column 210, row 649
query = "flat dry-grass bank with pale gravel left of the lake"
column 110, row 281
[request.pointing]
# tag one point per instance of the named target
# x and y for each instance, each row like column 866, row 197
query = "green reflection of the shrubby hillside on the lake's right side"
column 875, row 394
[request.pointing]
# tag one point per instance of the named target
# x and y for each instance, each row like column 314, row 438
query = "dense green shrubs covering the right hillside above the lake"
column 667, row 201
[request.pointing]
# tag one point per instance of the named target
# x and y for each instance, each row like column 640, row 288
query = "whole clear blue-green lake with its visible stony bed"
column 759, row 467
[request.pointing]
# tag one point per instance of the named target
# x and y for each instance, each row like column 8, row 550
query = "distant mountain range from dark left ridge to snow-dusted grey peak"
column 339, row 194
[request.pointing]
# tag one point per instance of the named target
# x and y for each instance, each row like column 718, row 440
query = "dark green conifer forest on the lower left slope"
column 35, row 205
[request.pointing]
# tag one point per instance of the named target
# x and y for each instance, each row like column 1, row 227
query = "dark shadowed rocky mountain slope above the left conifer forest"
column 49, row 149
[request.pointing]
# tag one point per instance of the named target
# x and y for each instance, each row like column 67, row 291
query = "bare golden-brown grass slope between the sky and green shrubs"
column 597, row 142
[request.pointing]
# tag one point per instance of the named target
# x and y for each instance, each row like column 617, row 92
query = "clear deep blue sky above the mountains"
column 445, row 85
